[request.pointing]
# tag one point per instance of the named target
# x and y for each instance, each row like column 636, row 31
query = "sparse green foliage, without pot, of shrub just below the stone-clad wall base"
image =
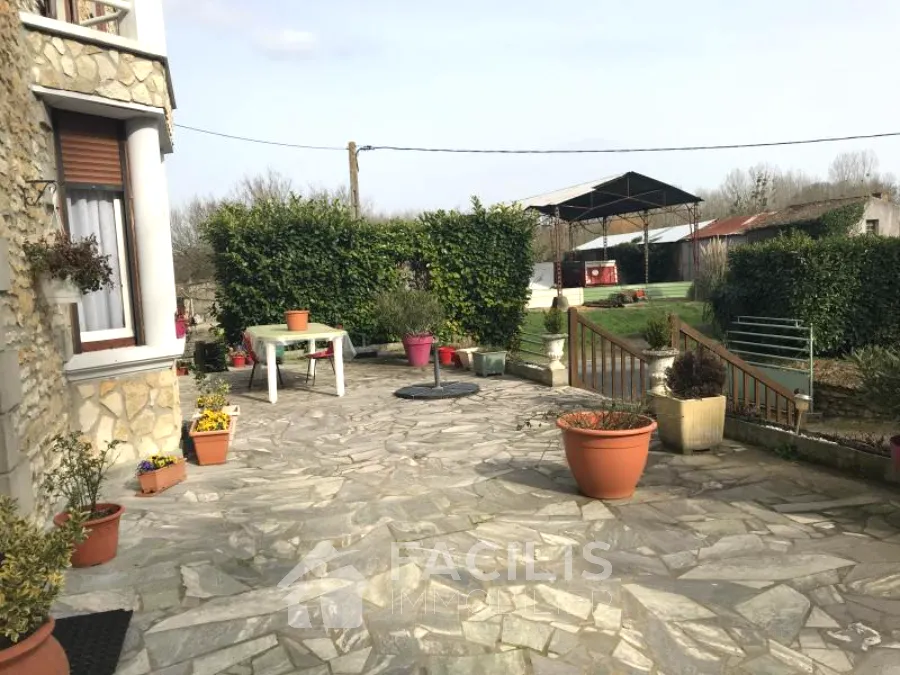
column 80, row 475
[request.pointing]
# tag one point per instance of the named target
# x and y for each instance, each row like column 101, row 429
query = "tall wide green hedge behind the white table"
column 314, row 254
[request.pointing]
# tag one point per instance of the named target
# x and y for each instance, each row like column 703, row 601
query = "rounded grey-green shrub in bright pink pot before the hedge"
column 413, row 315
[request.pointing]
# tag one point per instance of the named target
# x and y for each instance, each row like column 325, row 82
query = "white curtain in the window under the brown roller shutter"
column 94, row 212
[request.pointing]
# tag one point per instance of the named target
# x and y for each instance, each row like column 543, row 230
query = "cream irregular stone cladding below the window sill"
column 142, row 410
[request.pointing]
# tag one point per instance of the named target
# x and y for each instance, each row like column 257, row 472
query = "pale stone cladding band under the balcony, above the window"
column 61, row 63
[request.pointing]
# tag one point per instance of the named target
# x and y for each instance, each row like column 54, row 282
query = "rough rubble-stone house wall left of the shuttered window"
column 35, row 336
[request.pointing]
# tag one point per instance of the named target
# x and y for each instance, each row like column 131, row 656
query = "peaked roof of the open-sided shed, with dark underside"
column 629, row 192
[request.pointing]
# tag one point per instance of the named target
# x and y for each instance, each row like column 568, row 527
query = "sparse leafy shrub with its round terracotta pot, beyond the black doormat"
column 79, row 479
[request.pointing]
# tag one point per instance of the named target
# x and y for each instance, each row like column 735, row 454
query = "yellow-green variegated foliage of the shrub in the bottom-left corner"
column 32, row 561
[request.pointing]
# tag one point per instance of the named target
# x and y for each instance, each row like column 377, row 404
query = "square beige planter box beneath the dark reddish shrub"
column 692, row 424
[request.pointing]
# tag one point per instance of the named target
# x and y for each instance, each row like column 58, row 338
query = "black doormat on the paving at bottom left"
column 93, row 642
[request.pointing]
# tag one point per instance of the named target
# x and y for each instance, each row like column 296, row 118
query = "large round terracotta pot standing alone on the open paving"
column 606, row 464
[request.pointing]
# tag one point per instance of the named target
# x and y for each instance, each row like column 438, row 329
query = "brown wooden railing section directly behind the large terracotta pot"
column 602, row 362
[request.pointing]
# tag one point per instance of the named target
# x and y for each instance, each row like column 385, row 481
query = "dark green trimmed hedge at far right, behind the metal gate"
column 846, row 288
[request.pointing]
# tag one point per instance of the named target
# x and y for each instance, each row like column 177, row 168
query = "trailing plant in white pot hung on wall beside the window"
column 66, row 270
